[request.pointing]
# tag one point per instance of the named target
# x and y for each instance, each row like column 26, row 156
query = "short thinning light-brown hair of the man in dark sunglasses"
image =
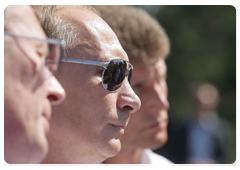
column 56, row 26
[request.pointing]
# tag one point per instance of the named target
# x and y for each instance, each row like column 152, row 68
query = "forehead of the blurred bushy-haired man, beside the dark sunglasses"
column 144, row 72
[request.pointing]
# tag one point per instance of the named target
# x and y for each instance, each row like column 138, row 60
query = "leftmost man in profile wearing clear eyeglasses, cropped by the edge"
column 29, row 86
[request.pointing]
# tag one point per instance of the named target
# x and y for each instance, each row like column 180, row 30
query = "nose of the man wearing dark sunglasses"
column 127, row 98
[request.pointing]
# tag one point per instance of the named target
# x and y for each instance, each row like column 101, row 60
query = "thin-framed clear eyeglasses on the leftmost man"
column 55, row 48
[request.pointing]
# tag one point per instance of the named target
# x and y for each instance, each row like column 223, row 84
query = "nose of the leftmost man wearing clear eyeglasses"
column 56, row 93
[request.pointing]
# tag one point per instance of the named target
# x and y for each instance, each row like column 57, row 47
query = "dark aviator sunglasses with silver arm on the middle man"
column 114, row 73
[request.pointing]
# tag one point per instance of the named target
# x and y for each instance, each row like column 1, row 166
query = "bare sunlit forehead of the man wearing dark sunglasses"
column 96, row 34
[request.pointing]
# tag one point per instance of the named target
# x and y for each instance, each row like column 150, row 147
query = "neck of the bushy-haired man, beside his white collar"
column 126, row 157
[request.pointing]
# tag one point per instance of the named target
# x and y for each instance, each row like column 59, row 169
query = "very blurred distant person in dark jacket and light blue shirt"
column 205, row 138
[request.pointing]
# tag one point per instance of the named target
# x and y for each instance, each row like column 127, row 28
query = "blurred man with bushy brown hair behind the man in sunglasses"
column 147, row 47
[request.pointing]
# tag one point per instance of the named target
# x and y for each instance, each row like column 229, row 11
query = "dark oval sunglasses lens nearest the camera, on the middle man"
column 114, row 74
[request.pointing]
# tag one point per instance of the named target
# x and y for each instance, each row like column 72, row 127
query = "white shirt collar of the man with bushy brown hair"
column 149, row 158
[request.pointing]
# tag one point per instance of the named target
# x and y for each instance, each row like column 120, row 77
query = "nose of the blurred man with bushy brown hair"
column 159, row 95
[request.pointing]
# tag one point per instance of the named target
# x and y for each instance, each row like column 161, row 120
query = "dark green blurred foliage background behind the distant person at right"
column 204, row 46
